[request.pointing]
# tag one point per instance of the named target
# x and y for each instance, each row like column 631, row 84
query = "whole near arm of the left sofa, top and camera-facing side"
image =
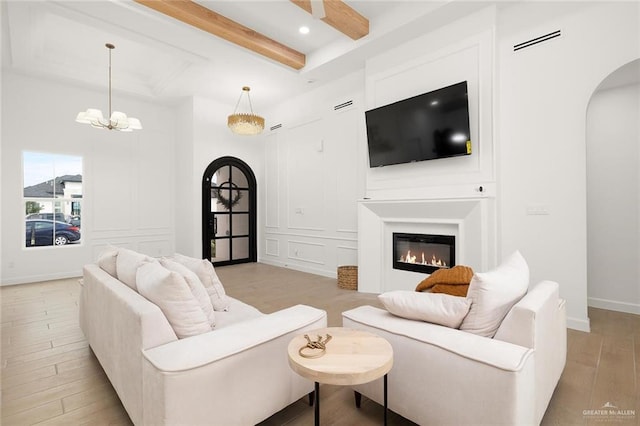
column 238, row 375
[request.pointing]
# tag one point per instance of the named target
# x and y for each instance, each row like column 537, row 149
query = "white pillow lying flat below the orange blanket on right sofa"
column 436, row 308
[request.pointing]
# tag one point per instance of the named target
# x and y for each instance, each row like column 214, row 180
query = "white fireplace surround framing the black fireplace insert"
column 470, row 220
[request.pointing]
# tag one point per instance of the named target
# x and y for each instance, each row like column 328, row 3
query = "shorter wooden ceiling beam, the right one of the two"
column 340, row 16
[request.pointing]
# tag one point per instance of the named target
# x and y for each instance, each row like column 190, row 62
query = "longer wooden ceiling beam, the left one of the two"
column 207, row 20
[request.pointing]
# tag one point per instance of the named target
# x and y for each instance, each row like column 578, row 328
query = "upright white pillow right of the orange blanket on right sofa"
column 494, row 293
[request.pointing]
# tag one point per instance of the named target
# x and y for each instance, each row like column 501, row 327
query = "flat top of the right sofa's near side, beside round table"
column 495, row 353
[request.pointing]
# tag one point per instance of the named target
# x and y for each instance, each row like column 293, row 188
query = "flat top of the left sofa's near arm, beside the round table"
column 196, row 351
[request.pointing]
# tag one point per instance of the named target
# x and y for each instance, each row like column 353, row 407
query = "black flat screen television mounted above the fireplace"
column 425, row 127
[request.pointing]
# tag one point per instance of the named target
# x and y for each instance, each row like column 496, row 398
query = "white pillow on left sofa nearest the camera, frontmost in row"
column 170, row 291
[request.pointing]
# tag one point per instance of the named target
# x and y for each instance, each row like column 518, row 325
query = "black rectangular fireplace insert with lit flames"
column 423, row 253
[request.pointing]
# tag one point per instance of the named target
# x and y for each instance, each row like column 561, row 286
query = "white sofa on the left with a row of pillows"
column 235, row 374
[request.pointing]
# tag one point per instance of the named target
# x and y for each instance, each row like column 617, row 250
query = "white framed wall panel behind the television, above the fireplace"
column 460, row 51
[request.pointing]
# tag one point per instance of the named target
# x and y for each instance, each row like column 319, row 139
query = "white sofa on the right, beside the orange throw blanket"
column 446, row 376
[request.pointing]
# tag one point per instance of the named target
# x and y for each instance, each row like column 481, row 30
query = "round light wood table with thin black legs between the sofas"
column 351, row 357
